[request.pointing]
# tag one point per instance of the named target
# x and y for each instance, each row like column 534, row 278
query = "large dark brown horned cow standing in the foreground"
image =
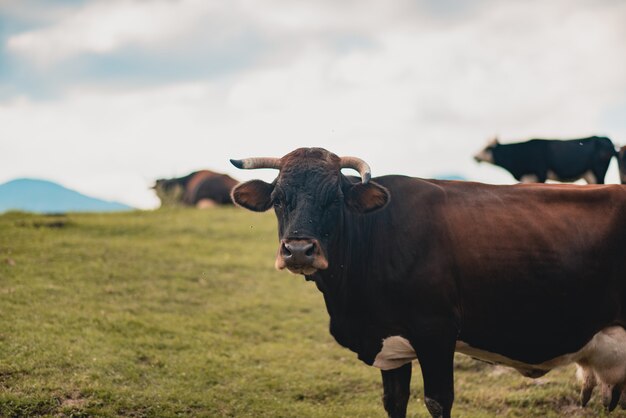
column 530, row 276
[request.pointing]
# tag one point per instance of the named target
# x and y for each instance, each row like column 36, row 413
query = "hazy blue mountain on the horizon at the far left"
column 43, row 196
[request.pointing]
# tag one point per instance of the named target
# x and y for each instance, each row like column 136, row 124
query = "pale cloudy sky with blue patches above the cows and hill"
column 105, row 96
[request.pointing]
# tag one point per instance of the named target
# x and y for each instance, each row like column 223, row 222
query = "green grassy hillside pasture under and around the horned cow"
column 180, row 313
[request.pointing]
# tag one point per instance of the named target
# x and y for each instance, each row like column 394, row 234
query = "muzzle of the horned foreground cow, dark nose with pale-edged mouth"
column 301, row 256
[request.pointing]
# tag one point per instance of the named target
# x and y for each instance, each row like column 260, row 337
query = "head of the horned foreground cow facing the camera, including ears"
column 309, row 197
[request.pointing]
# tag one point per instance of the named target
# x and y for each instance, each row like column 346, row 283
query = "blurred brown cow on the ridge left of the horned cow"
column 200, row 188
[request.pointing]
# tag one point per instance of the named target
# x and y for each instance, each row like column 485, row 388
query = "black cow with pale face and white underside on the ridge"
column 538, row 160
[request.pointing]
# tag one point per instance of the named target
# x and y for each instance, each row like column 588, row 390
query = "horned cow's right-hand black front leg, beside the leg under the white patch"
column 437, row 360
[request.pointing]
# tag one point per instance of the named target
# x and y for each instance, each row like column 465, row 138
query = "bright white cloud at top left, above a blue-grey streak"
column 103, row 26
